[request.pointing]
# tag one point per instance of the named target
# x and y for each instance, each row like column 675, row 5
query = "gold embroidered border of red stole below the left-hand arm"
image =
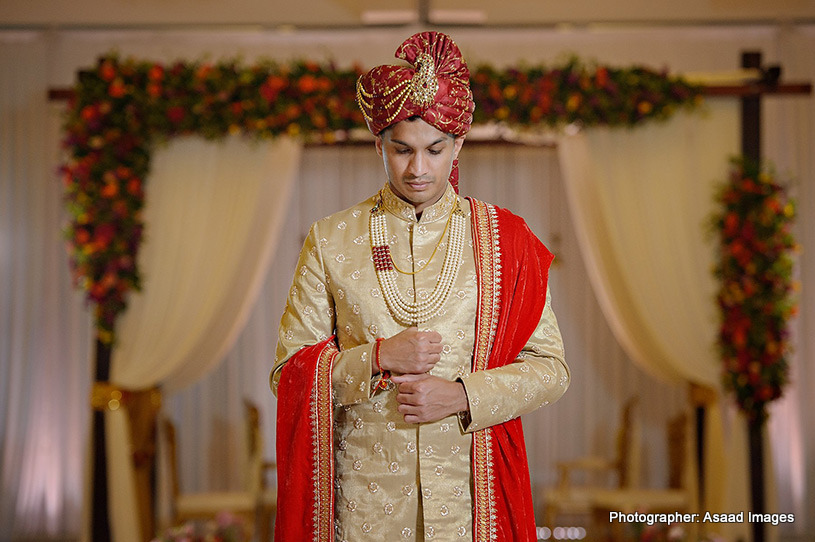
column 322, row 418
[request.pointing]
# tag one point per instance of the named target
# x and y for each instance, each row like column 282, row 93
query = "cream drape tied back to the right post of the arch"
column 641, row 199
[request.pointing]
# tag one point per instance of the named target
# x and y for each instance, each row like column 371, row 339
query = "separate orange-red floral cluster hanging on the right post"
column 755, row 297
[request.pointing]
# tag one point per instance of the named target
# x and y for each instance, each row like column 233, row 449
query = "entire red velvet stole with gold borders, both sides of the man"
column 513, row 271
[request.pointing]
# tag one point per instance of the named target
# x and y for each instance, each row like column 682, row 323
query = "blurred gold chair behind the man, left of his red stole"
column 255, row 503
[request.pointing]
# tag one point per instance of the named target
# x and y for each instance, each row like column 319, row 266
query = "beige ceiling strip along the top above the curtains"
column 328, row 14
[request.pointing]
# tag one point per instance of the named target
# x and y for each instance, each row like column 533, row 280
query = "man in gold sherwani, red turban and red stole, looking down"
column 418, row 329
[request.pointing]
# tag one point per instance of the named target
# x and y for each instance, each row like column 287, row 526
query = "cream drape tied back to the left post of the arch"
column 214, row 212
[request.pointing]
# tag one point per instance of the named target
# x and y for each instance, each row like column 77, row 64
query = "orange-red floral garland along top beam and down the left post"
column 122, row 108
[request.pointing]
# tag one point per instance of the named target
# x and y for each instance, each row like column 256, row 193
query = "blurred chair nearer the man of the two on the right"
column 576, row 500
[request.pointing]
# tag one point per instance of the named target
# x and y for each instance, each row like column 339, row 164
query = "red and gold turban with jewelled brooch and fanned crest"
column 436, row 87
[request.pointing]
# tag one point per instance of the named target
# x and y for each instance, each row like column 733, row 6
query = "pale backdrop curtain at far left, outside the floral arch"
column 44, row 339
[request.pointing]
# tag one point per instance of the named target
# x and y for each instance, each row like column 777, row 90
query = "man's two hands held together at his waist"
column 422, row 397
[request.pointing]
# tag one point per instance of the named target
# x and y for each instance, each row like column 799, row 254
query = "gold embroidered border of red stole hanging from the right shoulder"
column 487, row 248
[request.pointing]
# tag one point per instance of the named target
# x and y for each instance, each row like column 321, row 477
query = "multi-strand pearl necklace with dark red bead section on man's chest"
column 405, row 311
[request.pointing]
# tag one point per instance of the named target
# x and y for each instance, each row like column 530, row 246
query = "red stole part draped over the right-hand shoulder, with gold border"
column 513, row 272
